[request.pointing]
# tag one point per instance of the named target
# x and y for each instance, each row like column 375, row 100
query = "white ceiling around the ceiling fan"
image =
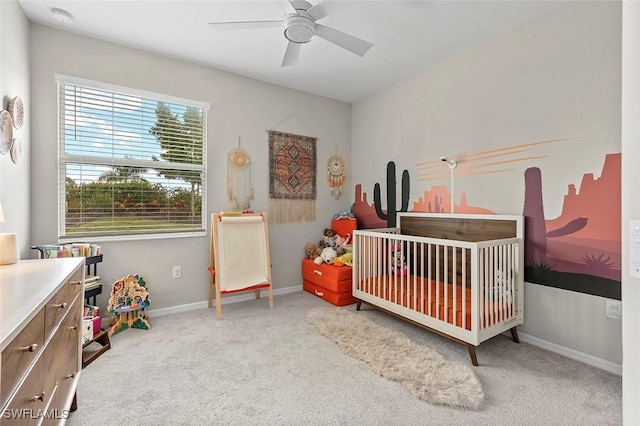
column 407, row 36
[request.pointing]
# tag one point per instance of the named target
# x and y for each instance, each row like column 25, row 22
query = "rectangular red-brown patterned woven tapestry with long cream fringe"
column 292, row 177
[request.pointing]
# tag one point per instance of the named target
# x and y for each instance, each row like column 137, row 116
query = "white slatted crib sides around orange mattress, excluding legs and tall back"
column 468, row 290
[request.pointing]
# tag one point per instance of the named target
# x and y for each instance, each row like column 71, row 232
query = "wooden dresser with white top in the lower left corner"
column 41, row 305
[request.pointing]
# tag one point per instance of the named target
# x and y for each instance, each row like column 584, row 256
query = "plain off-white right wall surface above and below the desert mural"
column 556, row 76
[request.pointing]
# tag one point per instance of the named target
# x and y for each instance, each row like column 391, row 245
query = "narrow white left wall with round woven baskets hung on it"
column 14, row 81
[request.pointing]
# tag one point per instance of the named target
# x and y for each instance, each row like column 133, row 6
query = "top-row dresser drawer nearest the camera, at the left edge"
column 21, row 352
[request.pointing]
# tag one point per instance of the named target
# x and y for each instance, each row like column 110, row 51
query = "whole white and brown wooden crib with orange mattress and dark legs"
column 460, row 276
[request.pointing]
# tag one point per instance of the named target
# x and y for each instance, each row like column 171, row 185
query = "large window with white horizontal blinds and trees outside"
column 132, row 163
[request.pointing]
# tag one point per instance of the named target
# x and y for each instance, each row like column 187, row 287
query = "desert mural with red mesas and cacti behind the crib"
column 578, row 250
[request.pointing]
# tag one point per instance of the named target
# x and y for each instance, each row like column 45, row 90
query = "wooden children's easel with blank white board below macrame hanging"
column 239, row 256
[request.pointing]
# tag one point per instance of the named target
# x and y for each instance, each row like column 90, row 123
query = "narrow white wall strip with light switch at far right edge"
column 630, row 208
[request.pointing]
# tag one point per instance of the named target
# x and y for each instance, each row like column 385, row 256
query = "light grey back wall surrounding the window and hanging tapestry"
column 241, row 107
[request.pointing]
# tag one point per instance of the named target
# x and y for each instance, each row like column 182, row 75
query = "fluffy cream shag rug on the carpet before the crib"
column 423, row 371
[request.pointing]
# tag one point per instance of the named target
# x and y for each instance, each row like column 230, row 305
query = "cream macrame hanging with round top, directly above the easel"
column 239, row 190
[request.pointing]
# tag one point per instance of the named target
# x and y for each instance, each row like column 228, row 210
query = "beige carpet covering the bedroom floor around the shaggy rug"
column 271, row 367
